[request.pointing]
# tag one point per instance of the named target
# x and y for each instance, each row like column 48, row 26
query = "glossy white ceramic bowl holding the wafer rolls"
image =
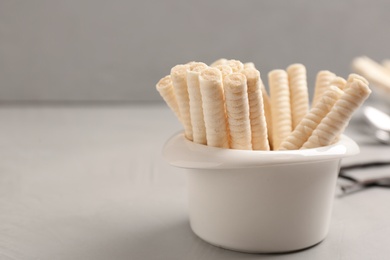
column 259, row 201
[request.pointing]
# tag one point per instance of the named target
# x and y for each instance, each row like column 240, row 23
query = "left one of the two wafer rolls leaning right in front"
column 307, row 125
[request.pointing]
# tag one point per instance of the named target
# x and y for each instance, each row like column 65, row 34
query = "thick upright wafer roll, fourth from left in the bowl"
column 210, row 82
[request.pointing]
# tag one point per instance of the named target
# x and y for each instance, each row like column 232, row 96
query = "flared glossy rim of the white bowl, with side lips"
column 181, row 152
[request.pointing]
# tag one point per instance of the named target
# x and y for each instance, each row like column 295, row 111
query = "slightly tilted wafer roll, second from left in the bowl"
column 179, row 81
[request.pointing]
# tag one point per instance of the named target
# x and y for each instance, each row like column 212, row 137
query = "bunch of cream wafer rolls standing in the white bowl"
column 226, row 104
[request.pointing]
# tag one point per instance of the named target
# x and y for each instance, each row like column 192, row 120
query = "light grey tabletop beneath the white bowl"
column 90, row 183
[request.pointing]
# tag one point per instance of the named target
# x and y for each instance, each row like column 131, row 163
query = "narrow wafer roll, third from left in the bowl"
column 196, row 111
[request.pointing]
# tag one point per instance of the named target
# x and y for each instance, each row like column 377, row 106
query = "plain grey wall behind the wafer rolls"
column 85, row 50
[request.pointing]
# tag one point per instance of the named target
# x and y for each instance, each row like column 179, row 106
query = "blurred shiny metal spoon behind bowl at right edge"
column 379, row 122
